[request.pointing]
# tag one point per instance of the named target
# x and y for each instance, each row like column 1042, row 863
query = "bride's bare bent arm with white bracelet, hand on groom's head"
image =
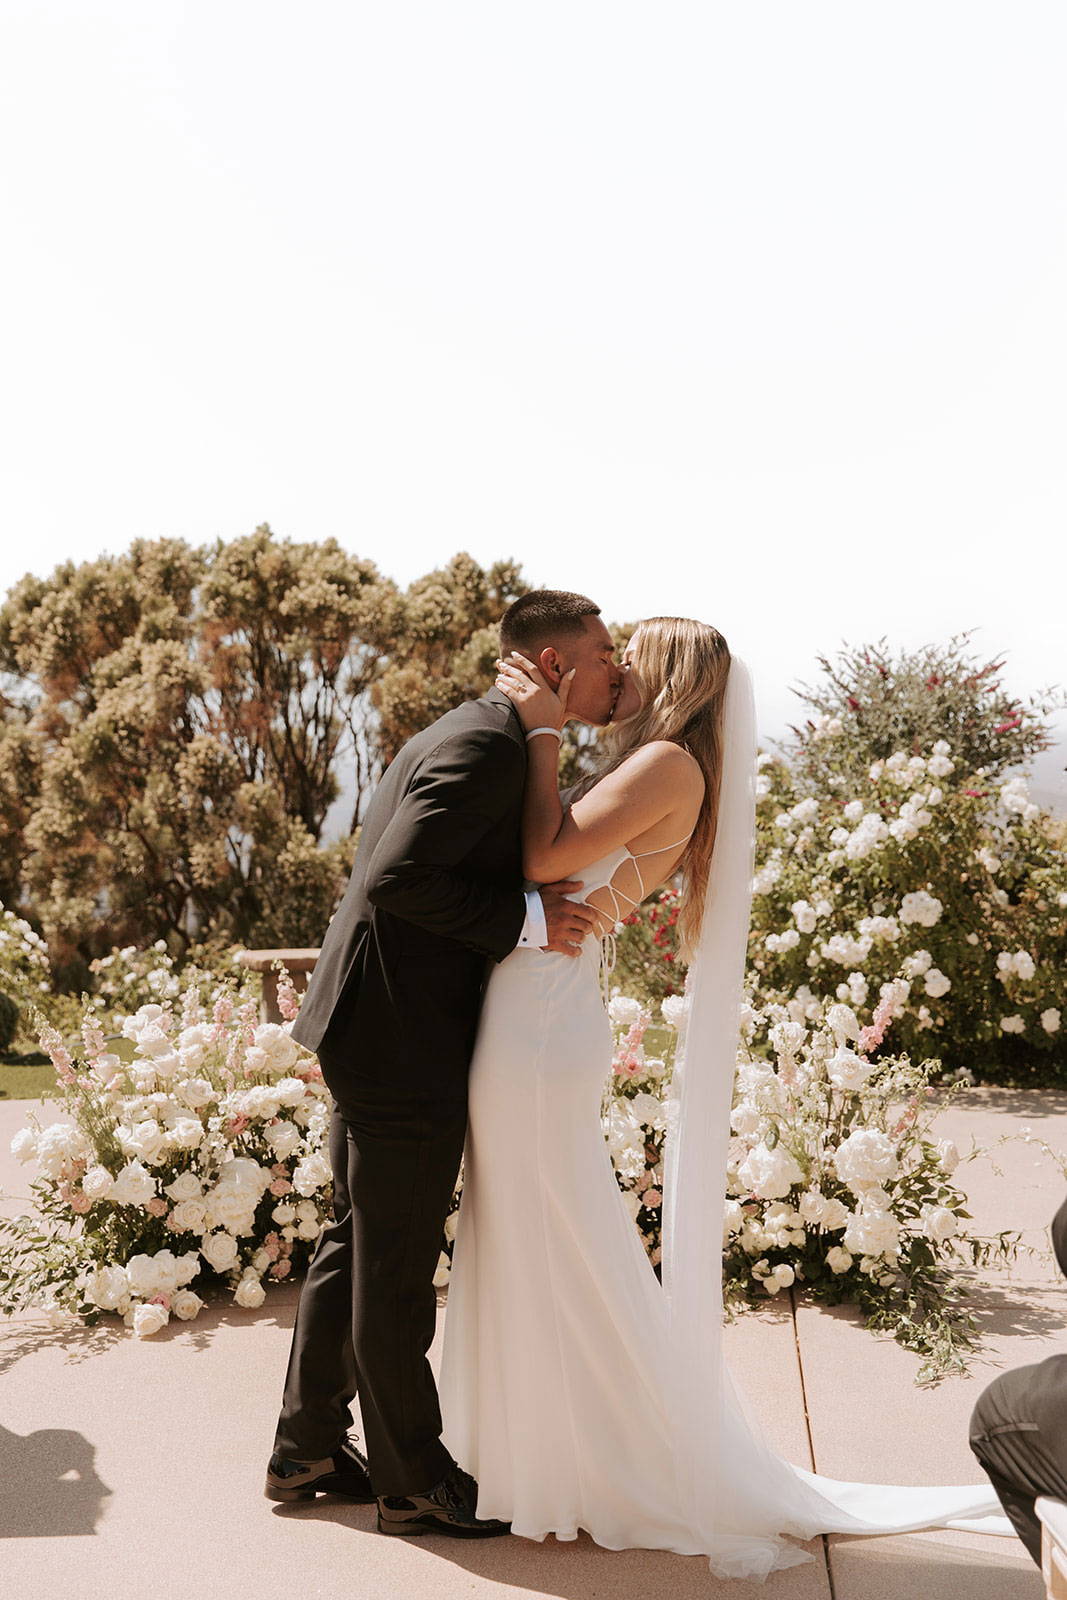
column 655, row 783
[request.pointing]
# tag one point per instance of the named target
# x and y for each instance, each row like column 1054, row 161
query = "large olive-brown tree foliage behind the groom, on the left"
column 175, row 722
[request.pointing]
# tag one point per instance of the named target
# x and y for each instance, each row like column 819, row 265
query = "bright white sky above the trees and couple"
column 746, row 311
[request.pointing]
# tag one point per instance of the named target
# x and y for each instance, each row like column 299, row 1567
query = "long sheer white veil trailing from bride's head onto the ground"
column 740, row 1497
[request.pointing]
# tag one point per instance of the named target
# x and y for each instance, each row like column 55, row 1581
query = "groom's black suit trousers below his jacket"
column 369, row 1308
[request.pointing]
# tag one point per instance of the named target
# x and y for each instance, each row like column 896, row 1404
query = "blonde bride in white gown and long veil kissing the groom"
column 578, row 1390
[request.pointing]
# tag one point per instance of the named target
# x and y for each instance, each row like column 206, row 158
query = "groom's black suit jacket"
column 436, row 890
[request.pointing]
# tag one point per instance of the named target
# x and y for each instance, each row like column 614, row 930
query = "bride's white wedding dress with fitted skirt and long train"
column 569, row 1388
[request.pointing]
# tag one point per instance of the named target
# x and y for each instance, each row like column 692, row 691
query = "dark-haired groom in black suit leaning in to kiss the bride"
column 393, row 1012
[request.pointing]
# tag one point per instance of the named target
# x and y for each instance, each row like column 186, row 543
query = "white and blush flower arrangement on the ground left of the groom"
column 191, row 1153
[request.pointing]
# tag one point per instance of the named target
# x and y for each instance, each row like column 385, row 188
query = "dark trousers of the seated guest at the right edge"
column 1018, row 1431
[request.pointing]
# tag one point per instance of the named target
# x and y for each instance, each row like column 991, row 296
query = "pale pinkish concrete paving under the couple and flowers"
column 137, row 1466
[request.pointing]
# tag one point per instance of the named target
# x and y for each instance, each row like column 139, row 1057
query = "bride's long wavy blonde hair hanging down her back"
column 684, row 666
